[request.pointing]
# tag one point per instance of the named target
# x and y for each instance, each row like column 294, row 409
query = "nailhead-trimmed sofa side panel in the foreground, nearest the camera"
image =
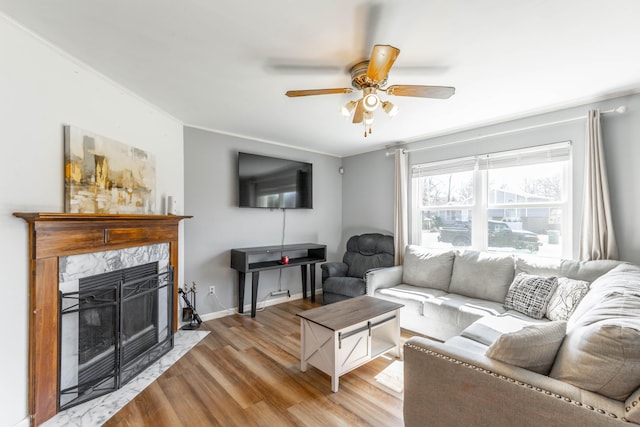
column 454, row 386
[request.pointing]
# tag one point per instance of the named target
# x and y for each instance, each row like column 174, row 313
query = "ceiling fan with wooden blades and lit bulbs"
column 371, row 77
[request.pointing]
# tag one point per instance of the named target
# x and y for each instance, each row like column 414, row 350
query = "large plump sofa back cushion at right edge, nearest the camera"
column 603, row 357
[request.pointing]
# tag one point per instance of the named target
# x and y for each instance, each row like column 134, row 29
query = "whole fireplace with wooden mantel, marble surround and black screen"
column 66, row 249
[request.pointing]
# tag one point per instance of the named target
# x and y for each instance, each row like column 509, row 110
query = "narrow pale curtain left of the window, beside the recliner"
column 401, row 228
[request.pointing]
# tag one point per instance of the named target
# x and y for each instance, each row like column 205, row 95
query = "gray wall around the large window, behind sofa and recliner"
column 368, row 178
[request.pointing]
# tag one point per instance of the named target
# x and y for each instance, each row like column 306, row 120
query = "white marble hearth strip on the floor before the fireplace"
column 97, row 411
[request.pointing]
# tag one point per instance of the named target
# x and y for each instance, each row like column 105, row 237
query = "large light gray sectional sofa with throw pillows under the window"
column 516, row 340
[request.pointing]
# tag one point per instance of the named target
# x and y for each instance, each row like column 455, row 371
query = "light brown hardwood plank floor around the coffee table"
column 246, row 372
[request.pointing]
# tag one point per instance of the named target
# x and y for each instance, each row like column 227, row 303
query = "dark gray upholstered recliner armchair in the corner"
column 346, row 279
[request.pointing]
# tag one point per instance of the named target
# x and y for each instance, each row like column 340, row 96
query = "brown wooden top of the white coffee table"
column 342, row 314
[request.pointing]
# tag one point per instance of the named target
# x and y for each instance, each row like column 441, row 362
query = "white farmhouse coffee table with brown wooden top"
column 339, row 337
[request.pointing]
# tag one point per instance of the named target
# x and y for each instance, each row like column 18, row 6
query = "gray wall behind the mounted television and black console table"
column 218, row 225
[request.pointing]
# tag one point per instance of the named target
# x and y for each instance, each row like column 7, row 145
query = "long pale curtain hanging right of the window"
column 597, row 238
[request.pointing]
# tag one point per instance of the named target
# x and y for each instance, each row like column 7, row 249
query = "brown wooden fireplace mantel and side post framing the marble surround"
column 53, row 235
